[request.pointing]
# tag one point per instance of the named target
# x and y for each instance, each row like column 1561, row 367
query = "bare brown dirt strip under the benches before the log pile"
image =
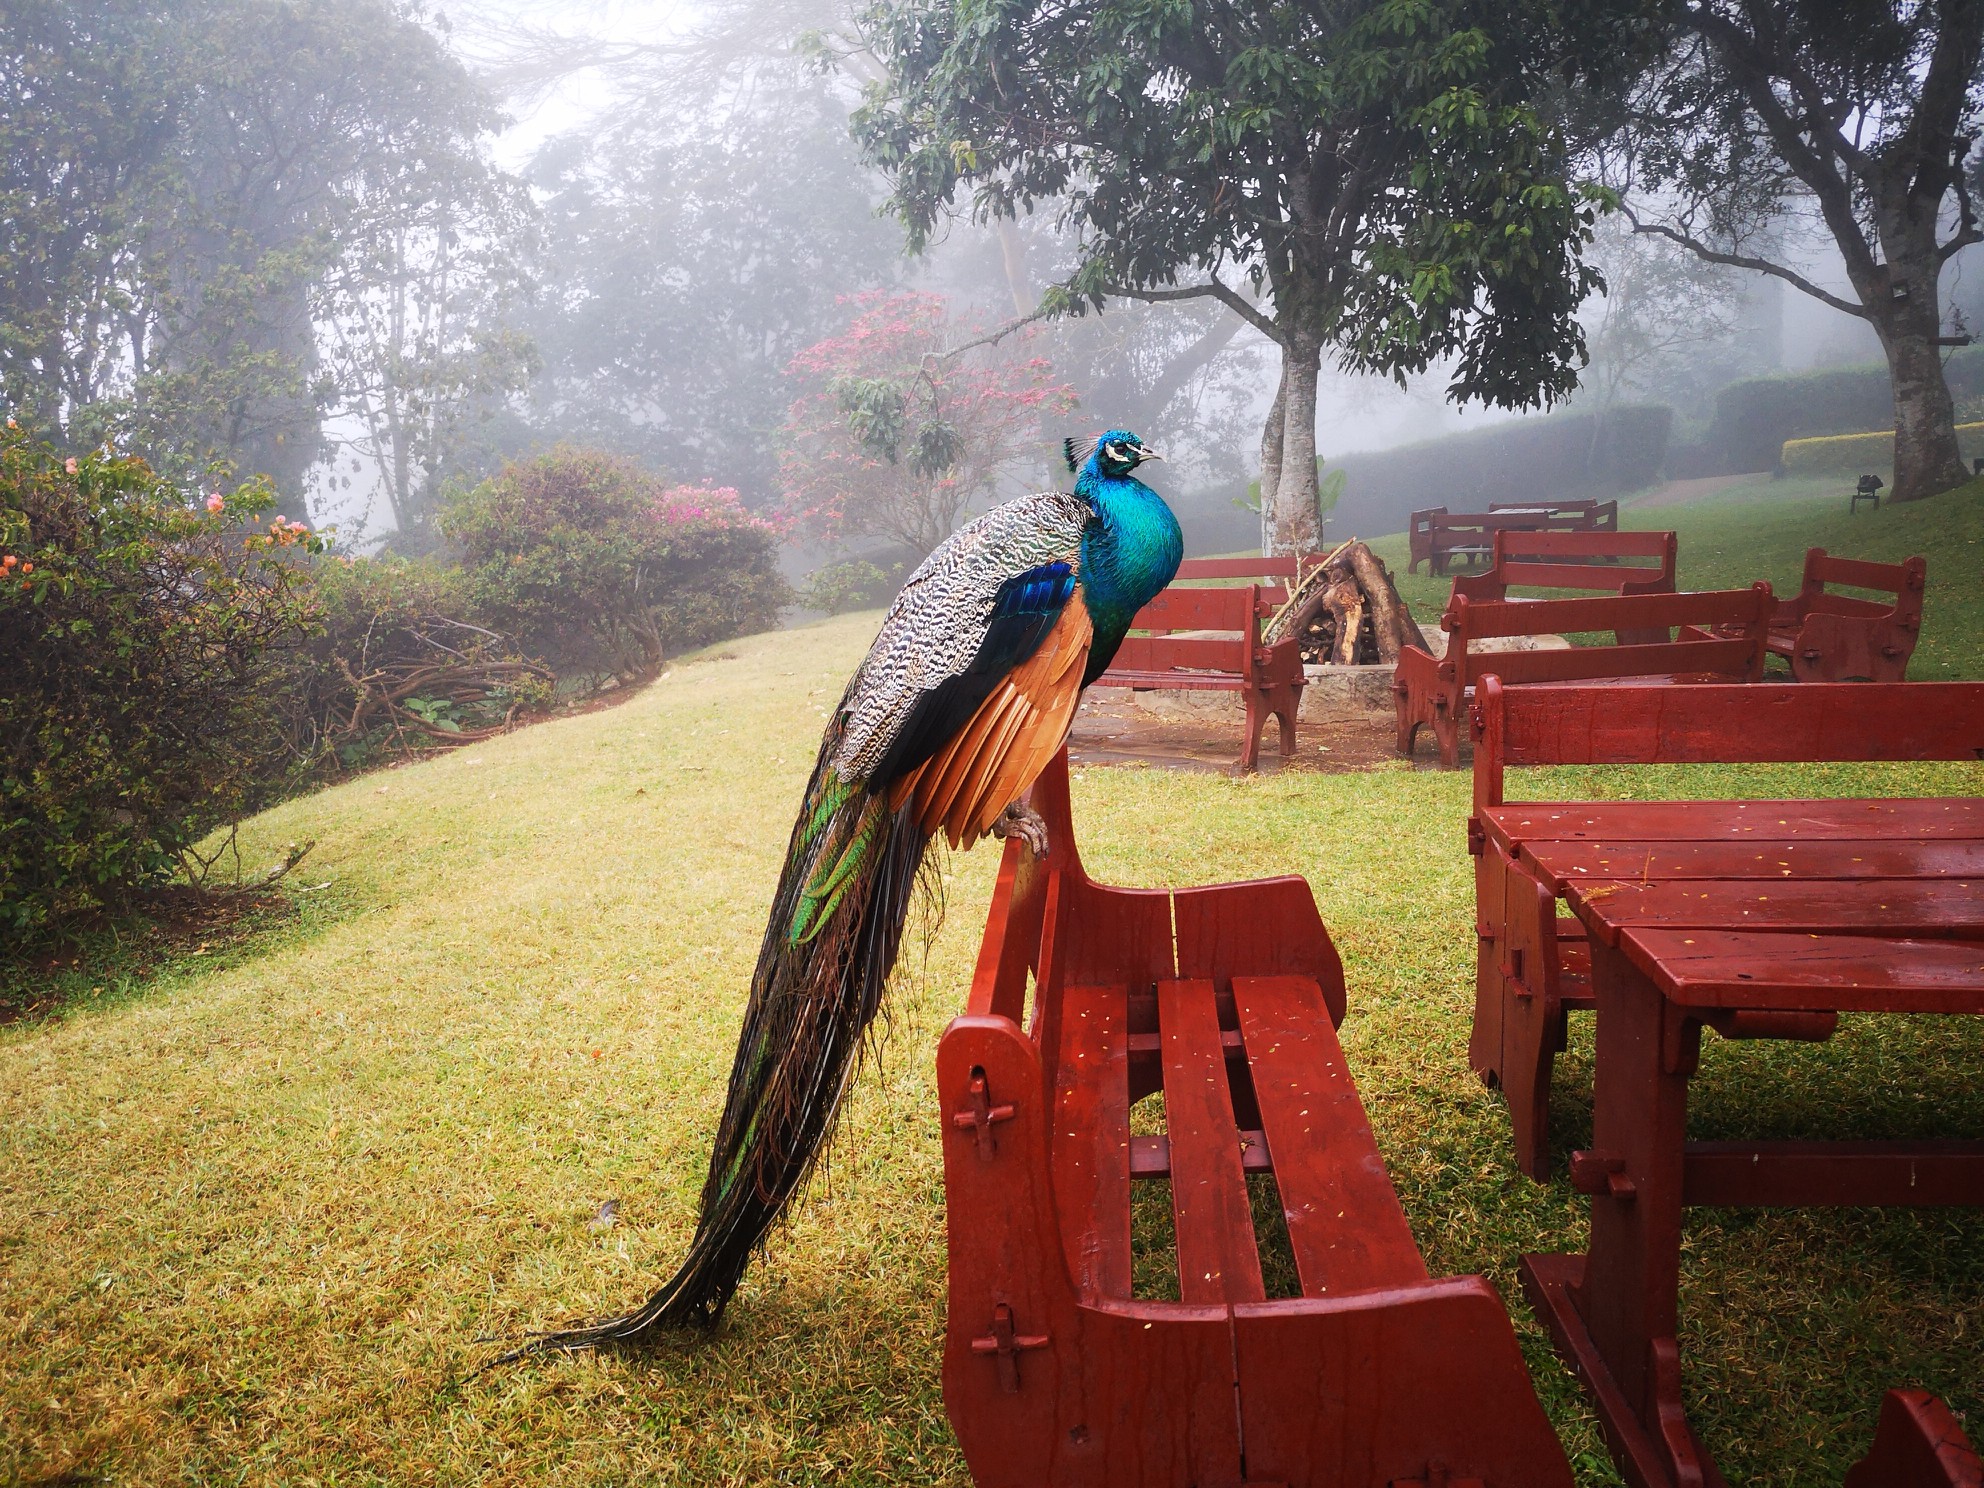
column 1120, row 731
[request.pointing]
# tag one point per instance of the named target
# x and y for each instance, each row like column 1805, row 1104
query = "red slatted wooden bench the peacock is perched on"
column 1056, row 1372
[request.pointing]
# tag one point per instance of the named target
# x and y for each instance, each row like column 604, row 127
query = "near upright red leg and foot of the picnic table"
column 1614, row 1310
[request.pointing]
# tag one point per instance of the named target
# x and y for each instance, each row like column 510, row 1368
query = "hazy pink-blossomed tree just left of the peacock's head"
column 896, row 437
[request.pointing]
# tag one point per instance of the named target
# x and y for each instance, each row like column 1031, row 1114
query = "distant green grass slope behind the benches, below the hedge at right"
column 1761, row 531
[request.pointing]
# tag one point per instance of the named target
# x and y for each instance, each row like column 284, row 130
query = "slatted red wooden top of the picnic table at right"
column 1852, row 906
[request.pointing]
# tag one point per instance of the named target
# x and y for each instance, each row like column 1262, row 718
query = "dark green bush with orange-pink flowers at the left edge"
column 144, row 646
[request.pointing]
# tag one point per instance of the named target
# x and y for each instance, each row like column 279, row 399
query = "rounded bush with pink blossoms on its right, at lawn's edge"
column 598, row 566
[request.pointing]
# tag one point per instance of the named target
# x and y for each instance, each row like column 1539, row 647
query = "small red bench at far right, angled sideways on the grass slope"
column 1832, row 638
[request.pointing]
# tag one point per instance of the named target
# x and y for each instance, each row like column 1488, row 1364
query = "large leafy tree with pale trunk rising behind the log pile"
column 1374, row 170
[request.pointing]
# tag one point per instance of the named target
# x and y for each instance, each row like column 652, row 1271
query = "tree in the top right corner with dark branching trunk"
column 1864, row 112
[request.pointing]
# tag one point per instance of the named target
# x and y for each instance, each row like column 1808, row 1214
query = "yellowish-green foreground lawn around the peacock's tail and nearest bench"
column 259, row 1211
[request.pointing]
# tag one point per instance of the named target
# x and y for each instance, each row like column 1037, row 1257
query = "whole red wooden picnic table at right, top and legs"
column 1759, row 920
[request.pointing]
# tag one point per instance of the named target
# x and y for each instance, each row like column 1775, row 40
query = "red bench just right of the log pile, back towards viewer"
column 1723, row 636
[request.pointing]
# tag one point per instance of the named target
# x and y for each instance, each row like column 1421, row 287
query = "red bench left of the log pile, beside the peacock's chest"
column 1269, row 678
